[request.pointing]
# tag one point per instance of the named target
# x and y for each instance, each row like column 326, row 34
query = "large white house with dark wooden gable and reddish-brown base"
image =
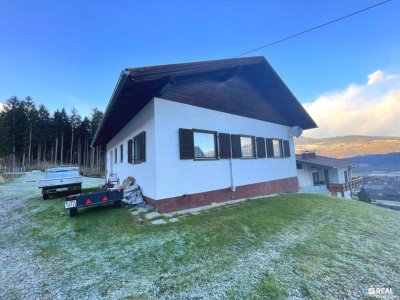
column 196, row 133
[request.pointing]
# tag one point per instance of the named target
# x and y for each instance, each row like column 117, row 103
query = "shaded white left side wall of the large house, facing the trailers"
column 144, row 173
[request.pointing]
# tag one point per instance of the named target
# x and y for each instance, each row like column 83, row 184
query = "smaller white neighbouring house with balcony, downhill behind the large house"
column 326, row 175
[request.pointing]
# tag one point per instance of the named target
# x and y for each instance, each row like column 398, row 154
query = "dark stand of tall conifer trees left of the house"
column 33, row 138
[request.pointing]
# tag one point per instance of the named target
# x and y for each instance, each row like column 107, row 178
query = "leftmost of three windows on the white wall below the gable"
column 204, row 144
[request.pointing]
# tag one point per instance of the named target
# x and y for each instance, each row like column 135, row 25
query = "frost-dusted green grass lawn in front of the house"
column 294, row 246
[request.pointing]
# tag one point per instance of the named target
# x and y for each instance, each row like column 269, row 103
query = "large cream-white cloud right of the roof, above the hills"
column 369, row 109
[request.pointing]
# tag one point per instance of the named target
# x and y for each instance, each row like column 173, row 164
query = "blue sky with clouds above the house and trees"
column 70, row 53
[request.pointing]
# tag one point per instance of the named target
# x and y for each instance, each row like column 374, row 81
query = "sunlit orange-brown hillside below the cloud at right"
column 349, row 146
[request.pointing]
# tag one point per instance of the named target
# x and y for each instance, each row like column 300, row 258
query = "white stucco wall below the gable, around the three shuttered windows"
column 176, row 177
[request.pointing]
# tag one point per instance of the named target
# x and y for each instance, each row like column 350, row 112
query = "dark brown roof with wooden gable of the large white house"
column 247, row 87
